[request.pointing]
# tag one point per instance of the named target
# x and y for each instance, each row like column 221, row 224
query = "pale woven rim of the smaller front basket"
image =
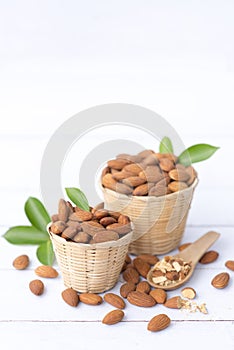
column 126, row 239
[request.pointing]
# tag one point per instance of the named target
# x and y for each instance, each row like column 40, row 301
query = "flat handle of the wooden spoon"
column 195, row 251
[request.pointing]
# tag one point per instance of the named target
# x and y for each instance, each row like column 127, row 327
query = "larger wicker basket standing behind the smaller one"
column 158, row 221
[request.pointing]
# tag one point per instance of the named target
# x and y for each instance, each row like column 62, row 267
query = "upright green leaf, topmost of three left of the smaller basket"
column 36, row 213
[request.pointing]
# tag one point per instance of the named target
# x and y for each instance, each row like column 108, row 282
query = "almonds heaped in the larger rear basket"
column 147, row 174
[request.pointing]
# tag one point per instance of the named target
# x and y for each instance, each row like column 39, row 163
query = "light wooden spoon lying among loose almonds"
column 191, row 254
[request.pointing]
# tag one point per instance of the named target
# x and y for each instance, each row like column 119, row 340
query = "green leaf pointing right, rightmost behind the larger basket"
column 197, row 153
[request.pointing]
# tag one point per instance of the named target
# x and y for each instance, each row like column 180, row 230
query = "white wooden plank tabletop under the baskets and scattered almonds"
column 30, row 322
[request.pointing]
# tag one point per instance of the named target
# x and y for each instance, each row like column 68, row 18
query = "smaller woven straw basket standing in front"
column 92, row 268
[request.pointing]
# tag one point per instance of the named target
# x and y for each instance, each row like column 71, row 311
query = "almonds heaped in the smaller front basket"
column 94, row 226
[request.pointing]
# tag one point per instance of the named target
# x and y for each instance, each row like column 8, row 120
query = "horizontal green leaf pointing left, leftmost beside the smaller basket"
column 25, row 235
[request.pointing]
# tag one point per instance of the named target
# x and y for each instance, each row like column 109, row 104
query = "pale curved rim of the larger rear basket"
column 151, row 198
